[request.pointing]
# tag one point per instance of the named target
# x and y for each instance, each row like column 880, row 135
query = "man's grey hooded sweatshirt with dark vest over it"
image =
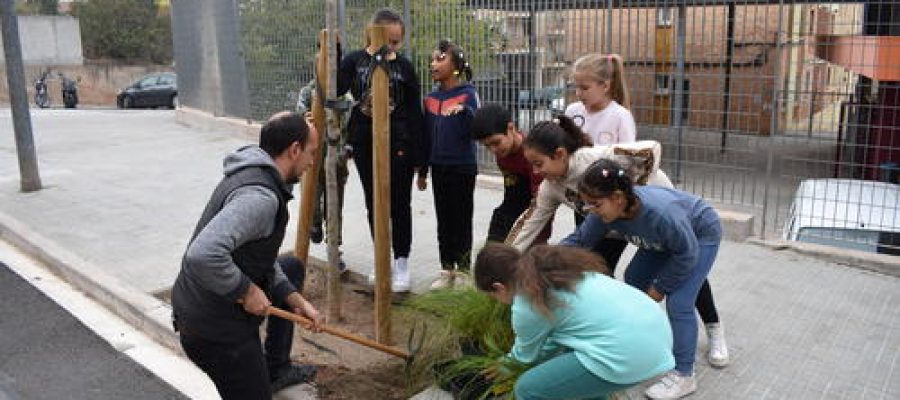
column 235, row 243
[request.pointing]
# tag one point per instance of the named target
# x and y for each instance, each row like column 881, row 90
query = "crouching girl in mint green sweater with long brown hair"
column 585, row 334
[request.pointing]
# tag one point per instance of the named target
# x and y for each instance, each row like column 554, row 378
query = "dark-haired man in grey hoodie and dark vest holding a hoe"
column 229, row 273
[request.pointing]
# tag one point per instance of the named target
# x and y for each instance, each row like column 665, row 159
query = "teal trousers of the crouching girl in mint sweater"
column 564, row 377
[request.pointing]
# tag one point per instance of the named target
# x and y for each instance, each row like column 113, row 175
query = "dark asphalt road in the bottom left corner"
column 48, row 354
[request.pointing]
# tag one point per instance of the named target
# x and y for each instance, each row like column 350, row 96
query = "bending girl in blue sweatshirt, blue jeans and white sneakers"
column 677, row 235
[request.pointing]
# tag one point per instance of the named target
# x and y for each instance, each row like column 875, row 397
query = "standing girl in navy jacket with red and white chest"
column 449, row 110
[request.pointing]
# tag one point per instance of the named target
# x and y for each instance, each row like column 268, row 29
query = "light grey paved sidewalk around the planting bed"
column 123, row 190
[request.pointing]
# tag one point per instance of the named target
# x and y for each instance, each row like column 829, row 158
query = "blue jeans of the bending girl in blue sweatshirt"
column 641, row 272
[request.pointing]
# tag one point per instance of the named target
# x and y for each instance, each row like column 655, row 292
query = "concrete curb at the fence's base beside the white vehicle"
column 880, row 263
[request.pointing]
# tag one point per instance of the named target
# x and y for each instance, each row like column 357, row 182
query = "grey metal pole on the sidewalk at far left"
column 18, row 98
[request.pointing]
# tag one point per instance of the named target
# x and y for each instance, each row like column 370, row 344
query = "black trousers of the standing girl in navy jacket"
column 454, row 188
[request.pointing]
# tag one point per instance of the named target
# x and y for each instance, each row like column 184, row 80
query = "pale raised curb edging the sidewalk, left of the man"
column 143, row 311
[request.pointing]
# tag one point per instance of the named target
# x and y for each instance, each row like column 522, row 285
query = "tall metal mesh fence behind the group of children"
column 749, row 98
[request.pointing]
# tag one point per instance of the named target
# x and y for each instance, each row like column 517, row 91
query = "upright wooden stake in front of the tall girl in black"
column 381, row 169
